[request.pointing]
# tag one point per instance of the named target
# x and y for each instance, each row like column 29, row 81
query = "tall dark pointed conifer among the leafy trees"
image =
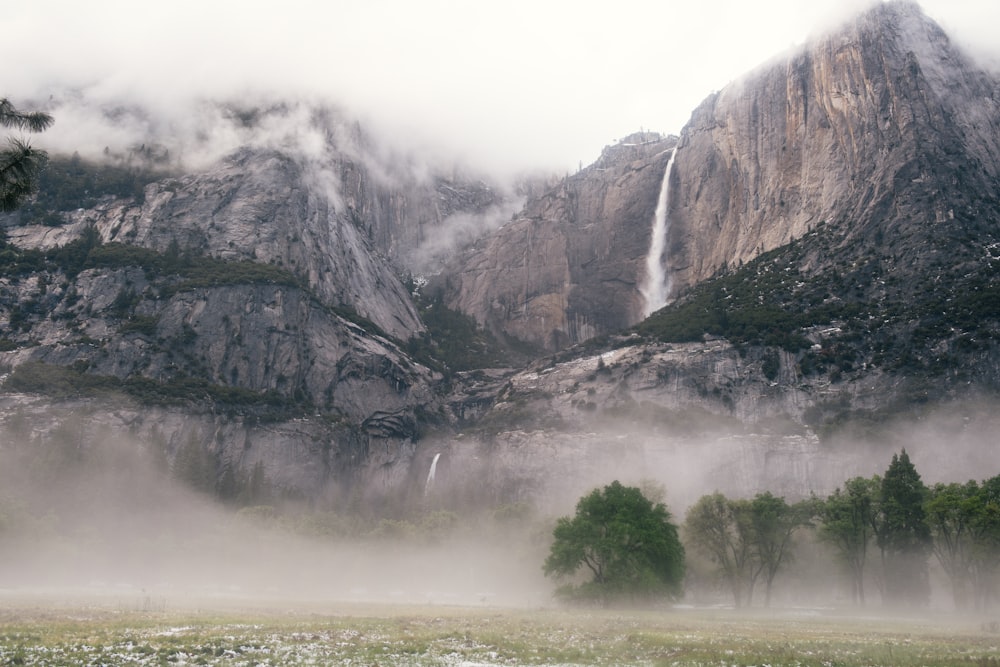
column 904, row 536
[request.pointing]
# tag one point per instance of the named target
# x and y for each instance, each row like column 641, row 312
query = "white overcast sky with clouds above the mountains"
column 511, row 85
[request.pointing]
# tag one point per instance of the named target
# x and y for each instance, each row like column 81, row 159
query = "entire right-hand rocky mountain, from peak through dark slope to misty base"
column 833, row 227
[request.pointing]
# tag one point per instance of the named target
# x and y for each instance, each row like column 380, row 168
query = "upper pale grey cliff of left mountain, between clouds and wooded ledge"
column 335, row 224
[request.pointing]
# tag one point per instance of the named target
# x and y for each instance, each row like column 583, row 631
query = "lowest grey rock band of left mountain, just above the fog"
column 324, row 461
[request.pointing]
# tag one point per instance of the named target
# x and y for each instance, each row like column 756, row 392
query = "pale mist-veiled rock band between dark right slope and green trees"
column 695, row 418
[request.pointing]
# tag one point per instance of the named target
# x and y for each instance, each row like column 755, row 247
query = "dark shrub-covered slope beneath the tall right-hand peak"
column 875, row 317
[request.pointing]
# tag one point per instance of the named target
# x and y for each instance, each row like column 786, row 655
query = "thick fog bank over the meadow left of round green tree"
column 106, row 520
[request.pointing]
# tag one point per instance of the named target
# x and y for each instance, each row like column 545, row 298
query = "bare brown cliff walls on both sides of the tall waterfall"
column 882, row 129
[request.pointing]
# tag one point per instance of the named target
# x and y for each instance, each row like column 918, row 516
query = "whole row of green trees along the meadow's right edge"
column 884, row 529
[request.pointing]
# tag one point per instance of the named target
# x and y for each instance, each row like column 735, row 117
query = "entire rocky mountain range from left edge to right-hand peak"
column 832, row 249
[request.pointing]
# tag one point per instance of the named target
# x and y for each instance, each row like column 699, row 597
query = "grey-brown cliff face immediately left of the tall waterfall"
column 567, row 267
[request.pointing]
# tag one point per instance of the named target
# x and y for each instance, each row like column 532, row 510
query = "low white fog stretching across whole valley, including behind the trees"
column 113, row 522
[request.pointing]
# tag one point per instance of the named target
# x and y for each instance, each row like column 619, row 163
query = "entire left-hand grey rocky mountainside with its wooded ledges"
column 257, row 301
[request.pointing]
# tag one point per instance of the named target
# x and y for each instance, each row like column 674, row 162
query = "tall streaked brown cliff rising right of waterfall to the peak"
column 882, row 125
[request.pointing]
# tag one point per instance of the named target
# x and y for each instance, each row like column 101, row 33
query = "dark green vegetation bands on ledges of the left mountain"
column 168, row 273
